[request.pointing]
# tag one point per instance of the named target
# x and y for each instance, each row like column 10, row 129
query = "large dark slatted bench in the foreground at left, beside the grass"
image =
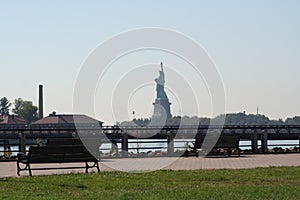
column 57, row 151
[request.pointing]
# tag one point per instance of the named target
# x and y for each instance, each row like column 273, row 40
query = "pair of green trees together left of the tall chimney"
column 22, row 108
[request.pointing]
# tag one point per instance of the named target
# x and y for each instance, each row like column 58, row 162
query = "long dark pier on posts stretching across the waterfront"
column 259, row 135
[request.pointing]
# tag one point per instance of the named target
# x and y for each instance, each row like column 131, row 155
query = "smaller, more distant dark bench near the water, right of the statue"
column 225, row 142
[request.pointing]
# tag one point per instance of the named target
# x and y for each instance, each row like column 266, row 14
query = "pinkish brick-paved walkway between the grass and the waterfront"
column 148, row 164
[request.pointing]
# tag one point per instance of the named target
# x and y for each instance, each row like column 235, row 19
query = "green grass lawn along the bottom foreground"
column 261, row 183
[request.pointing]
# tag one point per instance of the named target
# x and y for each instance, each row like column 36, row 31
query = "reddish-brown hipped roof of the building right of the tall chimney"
column 66, row 119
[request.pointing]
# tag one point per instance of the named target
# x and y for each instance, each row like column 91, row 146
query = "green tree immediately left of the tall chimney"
column 26, row 110
